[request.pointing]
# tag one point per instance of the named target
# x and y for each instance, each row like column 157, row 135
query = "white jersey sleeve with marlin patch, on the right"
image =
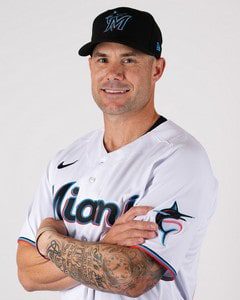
column 183, row 193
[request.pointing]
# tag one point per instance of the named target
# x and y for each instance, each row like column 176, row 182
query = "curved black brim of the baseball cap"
column 87, row 49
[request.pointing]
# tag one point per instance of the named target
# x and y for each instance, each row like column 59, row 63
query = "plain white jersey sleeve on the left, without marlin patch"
column 40, row 208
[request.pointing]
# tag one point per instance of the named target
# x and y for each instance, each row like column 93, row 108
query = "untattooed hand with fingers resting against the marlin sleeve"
column 129, row 232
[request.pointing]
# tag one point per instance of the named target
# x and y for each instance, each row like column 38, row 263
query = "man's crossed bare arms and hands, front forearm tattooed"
column 109, row 266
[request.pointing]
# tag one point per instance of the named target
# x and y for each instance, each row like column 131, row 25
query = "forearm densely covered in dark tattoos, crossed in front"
column 105, row 267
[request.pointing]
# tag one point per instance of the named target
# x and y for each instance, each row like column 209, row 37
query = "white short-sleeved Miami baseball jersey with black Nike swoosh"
column 88, row 188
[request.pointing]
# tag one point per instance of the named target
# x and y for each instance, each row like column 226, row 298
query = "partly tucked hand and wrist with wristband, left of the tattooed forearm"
column 52, row 227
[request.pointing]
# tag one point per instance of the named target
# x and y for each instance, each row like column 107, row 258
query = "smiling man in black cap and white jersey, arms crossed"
column 123, row 210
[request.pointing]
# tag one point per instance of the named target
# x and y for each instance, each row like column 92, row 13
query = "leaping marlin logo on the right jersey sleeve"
column 166, row 220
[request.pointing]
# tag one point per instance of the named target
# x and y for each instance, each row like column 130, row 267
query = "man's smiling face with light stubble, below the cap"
column 123, row 78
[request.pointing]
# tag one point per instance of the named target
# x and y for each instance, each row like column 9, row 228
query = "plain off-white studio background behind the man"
column 46, row 104
